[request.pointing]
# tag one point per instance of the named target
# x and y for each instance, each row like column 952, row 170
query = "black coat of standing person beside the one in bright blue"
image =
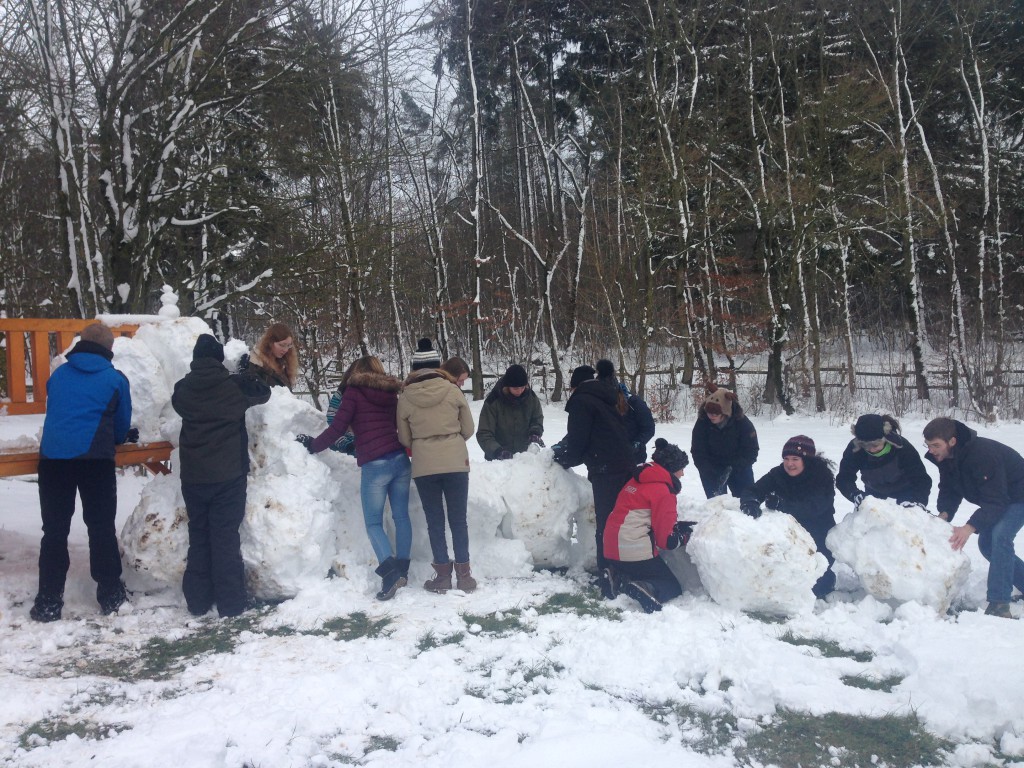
column 212, row 403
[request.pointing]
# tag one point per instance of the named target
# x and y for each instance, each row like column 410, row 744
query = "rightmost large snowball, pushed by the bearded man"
column 901, row 553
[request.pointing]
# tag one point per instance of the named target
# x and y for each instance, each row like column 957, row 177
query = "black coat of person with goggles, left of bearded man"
column 900, row 475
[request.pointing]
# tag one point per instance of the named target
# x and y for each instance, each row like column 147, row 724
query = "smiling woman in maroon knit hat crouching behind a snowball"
column 803, row 487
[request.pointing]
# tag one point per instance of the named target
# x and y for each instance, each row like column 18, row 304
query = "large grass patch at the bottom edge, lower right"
column 835, row 740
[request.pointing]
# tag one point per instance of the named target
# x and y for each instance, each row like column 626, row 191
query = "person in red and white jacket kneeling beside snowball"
column 646, row 510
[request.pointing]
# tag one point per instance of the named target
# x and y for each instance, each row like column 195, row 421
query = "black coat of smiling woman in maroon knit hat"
column 810, row 497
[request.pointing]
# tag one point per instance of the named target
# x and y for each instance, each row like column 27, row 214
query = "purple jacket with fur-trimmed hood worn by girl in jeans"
column 369, row 406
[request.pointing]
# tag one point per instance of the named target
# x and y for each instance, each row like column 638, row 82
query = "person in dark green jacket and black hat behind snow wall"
column 511, row 418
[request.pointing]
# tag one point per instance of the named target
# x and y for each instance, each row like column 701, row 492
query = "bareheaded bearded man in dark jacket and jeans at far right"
column 991, row 476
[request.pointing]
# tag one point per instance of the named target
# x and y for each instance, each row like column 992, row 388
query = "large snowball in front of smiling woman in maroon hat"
column 765, row 566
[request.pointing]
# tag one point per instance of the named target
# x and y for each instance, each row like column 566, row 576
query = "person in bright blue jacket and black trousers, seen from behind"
column 89, row 412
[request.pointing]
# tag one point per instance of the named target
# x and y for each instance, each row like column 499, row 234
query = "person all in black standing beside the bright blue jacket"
column 215, row 456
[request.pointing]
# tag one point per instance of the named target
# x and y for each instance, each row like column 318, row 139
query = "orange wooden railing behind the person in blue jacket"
column 23, row 379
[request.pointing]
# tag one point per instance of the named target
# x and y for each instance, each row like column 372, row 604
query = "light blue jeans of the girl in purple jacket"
column 388, row 478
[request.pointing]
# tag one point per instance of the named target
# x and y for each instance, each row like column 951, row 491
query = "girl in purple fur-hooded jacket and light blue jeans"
column 368, row 406
